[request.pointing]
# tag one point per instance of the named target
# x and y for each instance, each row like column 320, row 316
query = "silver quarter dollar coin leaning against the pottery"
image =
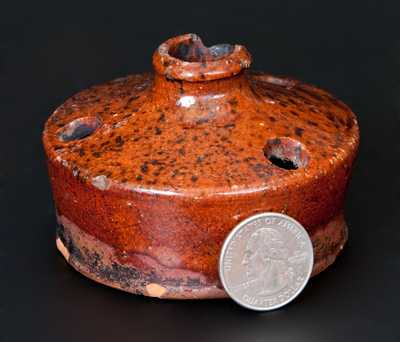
column 266, row 261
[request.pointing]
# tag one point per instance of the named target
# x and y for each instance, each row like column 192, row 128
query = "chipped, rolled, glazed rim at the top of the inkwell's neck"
column 178, row 69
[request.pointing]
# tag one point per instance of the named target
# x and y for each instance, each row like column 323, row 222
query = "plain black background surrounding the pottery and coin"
column 50, row 51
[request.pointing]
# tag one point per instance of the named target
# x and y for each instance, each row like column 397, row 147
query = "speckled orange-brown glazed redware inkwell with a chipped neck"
column 150, row 172
